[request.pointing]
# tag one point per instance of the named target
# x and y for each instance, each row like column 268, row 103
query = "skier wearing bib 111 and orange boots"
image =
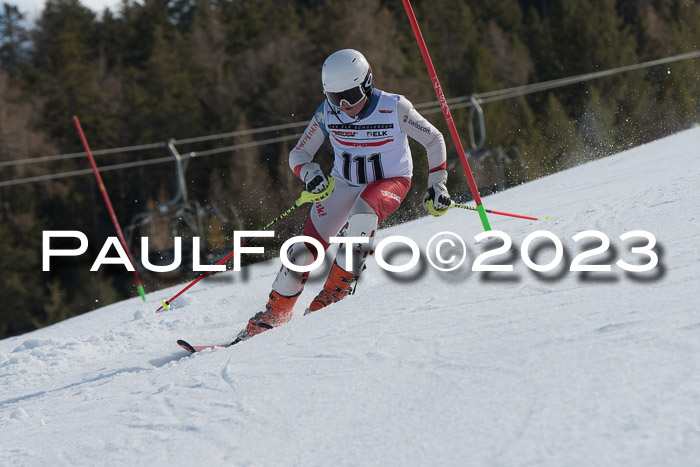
column 372, row 175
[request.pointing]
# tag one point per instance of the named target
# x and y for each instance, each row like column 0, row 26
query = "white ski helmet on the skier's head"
column 346, row 76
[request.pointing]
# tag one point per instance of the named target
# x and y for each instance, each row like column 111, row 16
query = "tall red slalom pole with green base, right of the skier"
column 448, row 116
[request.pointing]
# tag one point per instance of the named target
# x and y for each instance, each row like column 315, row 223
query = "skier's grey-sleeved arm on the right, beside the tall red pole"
column 417, row 127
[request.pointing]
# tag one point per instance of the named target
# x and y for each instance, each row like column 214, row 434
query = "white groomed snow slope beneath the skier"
column 417, row 368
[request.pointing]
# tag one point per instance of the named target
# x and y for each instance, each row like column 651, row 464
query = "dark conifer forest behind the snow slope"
column 155, row 77
